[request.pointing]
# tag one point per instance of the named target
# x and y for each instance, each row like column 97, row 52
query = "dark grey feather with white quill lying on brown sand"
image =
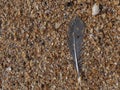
column 75, row 39
